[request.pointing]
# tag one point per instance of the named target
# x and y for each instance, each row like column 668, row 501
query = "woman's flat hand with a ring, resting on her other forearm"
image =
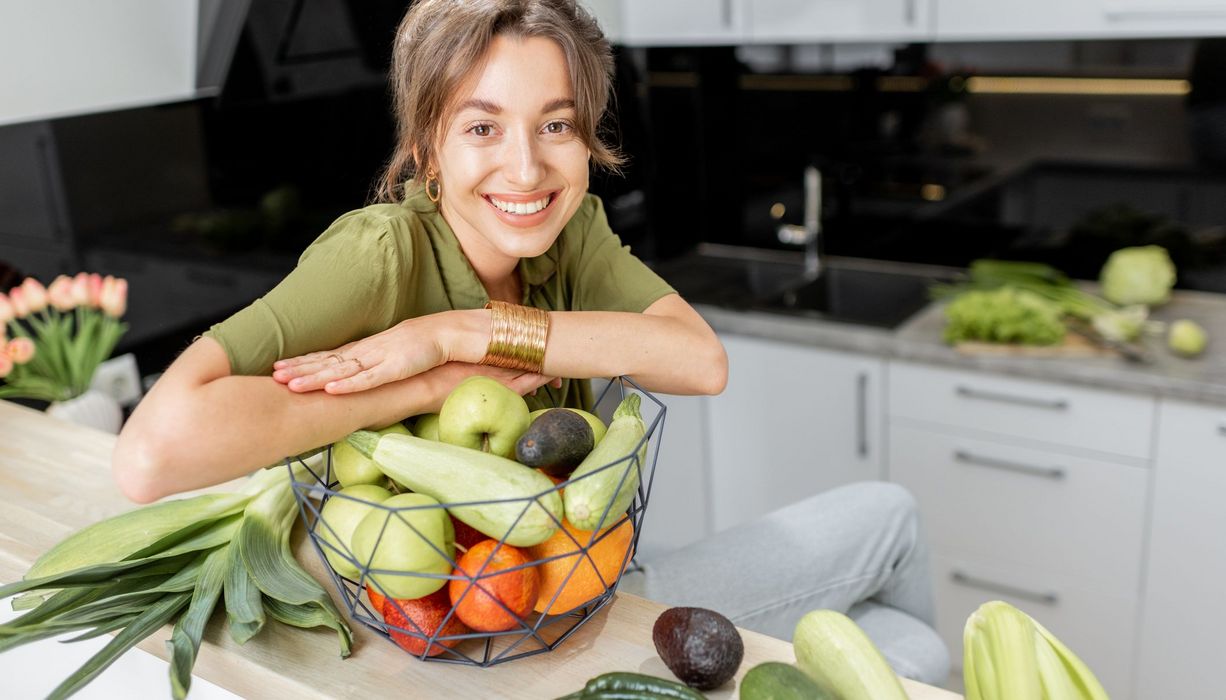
column 405, row 350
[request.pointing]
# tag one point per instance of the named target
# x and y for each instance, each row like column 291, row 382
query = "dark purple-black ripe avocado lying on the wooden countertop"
column 701, row 647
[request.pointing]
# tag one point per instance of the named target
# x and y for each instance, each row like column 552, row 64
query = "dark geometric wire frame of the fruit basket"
column 536, row 634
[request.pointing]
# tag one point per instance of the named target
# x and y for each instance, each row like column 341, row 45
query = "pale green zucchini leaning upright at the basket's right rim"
column 595, row 486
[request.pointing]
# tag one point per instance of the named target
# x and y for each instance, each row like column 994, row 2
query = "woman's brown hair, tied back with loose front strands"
column 441, row 42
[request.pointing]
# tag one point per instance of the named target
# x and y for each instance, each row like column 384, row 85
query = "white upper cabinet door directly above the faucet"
column 804, row 21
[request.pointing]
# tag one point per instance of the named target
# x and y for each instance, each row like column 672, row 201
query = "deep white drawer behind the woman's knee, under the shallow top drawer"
column 1050, row 513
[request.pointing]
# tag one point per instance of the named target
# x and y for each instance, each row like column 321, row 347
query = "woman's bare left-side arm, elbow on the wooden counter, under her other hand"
column 200, row 426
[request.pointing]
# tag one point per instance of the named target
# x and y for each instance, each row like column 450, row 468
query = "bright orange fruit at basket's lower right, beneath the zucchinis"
column 611, row 556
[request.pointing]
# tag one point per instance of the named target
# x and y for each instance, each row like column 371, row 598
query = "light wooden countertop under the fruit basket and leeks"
column 57, row 480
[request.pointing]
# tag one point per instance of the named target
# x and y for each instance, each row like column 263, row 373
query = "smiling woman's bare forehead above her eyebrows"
column 519, row 74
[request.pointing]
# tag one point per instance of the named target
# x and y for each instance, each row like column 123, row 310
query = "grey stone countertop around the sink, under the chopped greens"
column 920, row 340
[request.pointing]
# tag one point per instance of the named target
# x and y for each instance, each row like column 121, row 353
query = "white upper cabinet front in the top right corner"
column 975, row 20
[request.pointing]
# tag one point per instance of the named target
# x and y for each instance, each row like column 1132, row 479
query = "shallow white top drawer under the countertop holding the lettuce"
column 1046, row 413
